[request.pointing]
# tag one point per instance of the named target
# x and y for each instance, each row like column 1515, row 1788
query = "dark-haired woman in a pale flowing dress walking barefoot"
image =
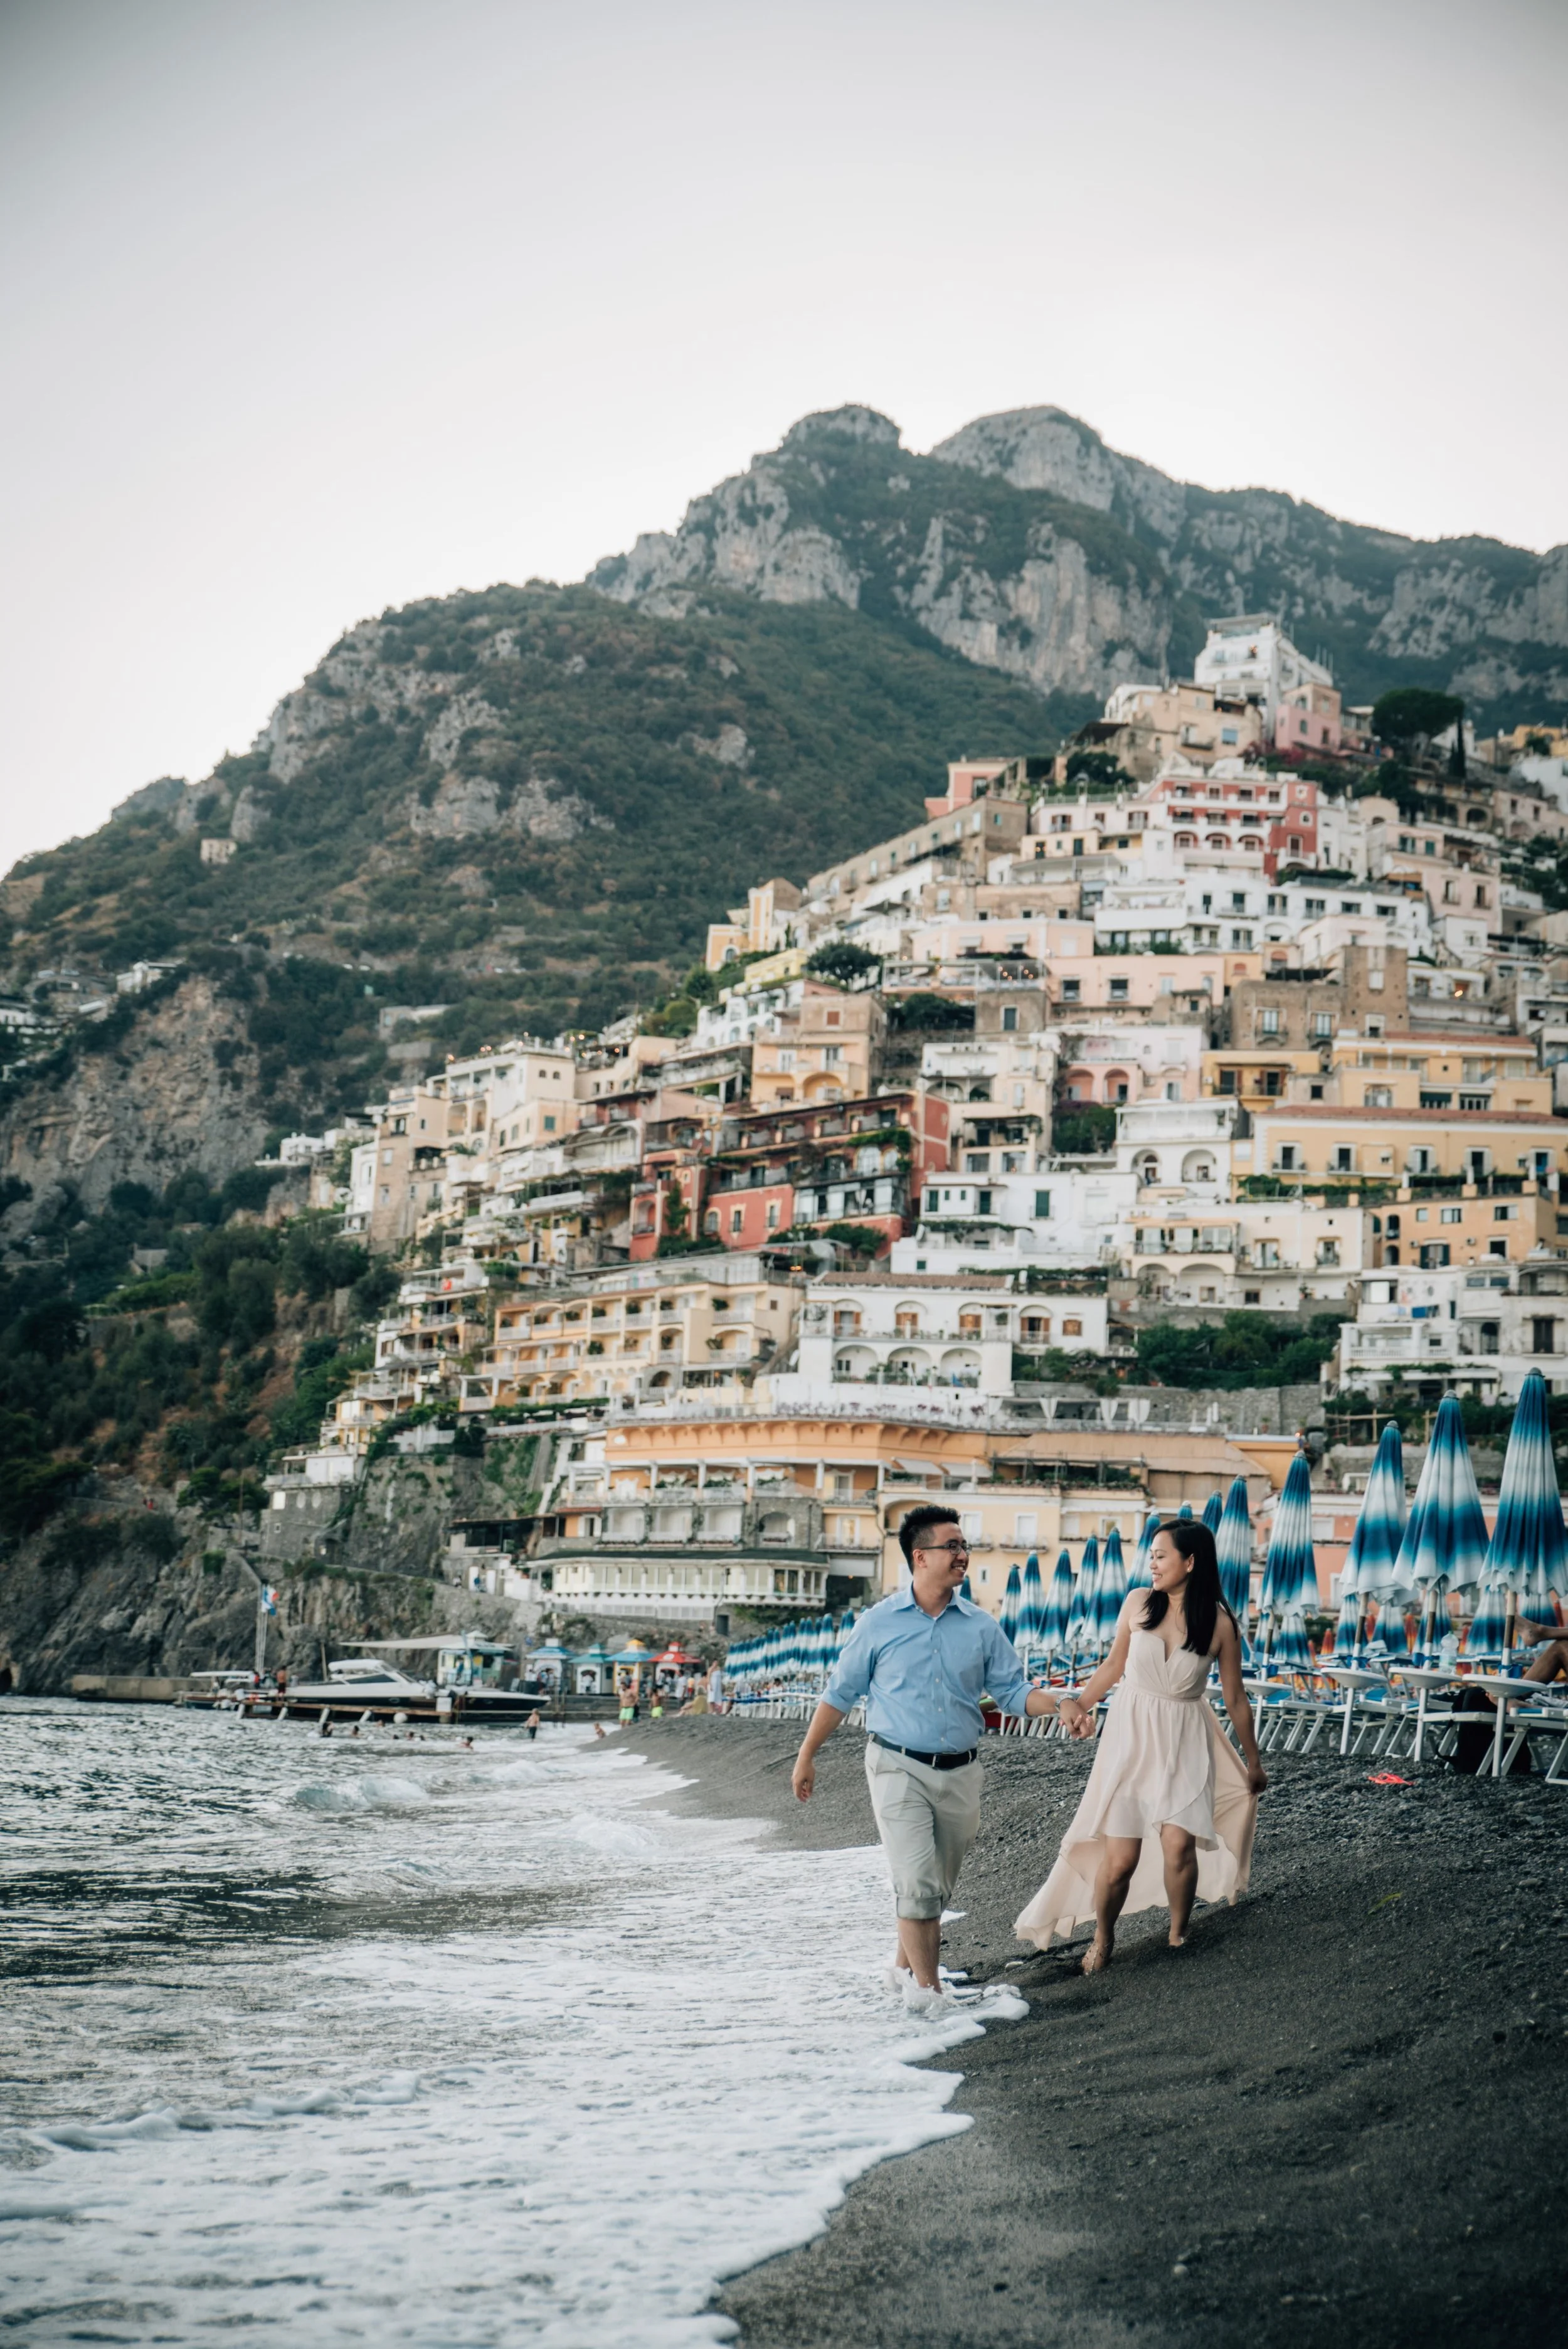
column 1163, row 1765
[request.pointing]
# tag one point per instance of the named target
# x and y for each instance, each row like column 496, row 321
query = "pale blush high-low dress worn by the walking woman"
column 1161, row 1761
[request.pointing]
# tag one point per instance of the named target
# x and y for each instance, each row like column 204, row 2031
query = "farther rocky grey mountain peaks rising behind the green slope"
column 1032, row 548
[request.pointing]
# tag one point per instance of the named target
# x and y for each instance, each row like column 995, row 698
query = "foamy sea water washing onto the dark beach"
column 367, row 2040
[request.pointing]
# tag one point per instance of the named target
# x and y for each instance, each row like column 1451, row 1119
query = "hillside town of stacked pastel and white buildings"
column 1241, row 1004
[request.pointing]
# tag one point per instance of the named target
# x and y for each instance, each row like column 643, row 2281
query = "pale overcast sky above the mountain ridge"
column 316, row 309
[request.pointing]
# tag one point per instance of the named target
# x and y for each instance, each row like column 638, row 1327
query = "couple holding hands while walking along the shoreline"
column 1170, row 1808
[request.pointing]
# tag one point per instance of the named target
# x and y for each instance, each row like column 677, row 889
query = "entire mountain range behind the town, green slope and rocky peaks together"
column 527, row 805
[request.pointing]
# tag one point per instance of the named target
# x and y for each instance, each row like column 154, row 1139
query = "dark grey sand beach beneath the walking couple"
column 1337, row 2118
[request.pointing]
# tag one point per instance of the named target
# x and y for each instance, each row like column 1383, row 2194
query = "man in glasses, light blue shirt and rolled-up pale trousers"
column 924, row 1660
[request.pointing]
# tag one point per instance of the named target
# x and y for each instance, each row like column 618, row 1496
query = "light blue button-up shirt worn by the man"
column 924, row 1676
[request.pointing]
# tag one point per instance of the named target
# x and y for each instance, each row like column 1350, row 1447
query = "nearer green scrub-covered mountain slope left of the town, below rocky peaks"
column 522, row 805
